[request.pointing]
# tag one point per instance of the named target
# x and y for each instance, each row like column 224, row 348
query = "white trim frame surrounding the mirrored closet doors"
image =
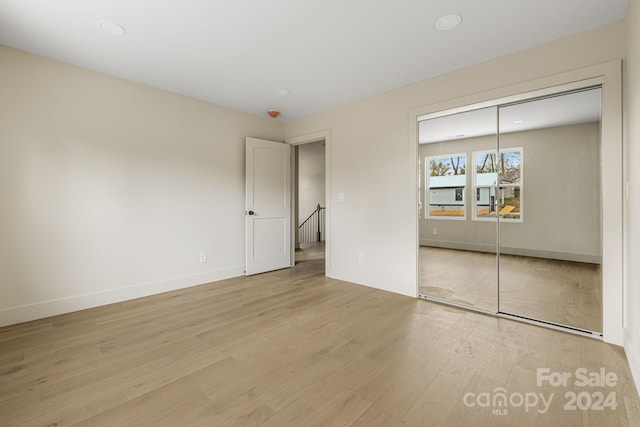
column 609, row 75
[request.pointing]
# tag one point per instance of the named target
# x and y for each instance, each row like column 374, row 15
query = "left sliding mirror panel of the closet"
column 457, row 254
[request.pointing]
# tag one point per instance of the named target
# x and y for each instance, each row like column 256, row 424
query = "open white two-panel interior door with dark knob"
column 268, row 206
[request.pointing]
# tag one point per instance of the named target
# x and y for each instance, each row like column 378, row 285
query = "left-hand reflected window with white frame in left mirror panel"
column 445, row 183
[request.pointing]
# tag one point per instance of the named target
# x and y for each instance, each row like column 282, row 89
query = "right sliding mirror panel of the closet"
column 550, row 233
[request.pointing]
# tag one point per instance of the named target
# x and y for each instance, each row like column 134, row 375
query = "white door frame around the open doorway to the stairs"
column 324, row 135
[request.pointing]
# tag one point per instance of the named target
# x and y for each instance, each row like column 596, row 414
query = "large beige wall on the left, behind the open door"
column 110, row 189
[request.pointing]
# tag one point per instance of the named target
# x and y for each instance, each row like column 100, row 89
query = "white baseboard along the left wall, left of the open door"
column 40, row 310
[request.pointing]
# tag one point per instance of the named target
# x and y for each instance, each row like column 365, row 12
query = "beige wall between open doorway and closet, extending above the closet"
column 372, row 157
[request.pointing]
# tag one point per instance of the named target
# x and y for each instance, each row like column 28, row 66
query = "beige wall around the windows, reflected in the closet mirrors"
column 561, row 196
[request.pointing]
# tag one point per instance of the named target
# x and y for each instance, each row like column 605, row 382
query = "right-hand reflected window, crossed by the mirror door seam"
column 498, row 183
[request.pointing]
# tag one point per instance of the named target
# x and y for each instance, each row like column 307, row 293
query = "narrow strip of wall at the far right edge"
column 632, row 174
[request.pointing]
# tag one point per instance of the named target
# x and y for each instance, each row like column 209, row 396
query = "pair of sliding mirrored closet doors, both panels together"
column 510, row 209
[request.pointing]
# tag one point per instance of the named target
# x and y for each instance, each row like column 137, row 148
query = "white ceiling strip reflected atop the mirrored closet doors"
column 567, row 109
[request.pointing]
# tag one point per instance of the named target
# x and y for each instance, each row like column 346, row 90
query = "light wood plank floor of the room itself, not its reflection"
column 291, row 347
